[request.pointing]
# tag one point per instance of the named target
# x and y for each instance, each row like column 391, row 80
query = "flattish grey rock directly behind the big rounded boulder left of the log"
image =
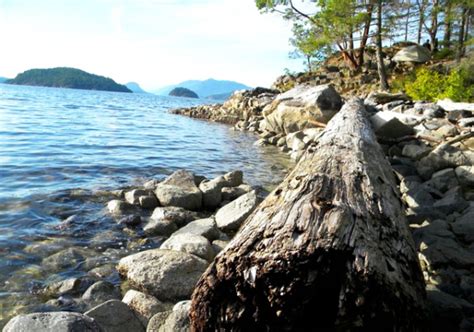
column 192, row 244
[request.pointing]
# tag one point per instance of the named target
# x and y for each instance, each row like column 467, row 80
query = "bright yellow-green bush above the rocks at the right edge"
column 431, row 85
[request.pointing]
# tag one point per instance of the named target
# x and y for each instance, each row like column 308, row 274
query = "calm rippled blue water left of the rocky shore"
column 61, row 150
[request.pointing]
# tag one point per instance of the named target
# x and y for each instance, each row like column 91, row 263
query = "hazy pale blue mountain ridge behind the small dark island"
column 206, row 88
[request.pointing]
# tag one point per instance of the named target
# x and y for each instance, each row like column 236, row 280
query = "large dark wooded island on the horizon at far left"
column 64, row 77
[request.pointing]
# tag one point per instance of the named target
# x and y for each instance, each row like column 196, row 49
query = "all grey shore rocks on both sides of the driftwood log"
column 429, row 145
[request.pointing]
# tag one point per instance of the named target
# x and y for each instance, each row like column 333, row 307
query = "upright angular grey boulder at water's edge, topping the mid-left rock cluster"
column 180, row 190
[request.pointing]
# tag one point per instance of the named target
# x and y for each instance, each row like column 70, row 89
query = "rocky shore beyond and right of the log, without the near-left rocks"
column 431, row 149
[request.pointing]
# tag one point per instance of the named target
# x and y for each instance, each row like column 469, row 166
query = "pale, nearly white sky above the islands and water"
column 152, row 42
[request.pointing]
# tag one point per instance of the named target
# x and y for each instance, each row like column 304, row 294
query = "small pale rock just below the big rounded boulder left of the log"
column 144, row 306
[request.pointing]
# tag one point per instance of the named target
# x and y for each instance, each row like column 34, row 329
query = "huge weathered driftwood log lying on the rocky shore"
column 329, row 249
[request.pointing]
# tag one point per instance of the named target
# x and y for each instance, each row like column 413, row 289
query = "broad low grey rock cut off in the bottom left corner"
column 60, row 321
